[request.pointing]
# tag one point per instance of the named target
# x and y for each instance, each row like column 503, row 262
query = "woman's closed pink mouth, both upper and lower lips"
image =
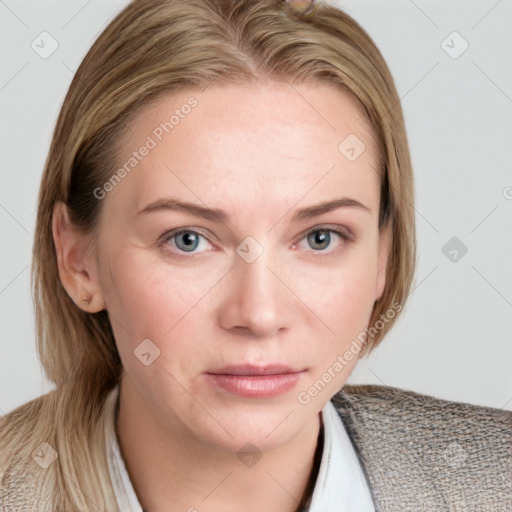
column 255, row 381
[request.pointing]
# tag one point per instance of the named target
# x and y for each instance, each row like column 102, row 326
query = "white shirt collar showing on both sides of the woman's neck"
column 340, row 484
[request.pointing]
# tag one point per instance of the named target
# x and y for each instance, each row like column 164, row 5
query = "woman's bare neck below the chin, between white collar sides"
column 169, row 470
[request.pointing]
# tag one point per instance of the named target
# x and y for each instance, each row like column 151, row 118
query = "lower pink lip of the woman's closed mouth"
column 256, row 386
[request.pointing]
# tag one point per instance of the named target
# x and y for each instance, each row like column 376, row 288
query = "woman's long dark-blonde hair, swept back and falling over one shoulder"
column 154, row 47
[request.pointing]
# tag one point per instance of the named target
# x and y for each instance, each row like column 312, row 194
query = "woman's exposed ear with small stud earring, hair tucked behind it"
column 77, row 268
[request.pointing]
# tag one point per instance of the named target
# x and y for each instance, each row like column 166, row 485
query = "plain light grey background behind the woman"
column 454, row 340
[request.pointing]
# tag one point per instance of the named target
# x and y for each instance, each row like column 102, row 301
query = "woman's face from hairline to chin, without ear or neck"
column 272, row 283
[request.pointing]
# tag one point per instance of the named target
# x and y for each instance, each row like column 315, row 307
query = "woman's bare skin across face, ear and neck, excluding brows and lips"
column 260, row 153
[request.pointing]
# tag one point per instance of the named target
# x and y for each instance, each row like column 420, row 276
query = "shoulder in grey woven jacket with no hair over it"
column 418, row 449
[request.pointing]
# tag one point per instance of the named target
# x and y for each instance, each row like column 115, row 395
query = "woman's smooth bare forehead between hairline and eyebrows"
column 245, row 145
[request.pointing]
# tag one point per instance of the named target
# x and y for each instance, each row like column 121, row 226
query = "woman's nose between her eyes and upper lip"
column 256, row 300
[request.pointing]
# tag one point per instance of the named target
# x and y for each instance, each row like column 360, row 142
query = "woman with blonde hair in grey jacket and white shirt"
column 225, row 226
